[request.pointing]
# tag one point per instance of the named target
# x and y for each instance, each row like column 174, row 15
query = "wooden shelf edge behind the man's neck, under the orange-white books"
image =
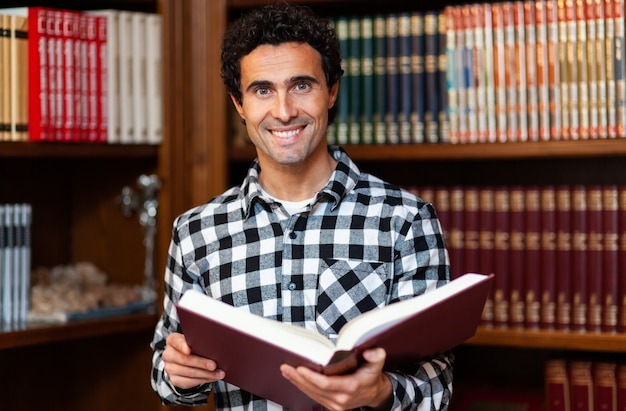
column 483, row 151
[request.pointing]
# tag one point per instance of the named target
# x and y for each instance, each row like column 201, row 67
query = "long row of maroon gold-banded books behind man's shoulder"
column 558, row 252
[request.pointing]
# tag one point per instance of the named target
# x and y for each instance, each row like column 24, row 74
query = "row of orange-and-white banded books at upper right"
column 536, row 70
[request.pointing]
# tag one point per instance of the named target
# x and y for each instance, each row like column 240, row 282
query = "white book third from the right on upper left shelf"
column 125, row 36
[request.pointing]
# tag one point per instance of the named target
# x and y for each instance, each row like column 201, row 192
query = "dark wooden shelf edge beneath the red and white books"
column 76, row 150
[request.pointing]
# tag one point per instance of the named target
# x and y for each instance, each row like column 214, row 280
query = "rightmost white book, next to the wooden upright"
column 154, row 78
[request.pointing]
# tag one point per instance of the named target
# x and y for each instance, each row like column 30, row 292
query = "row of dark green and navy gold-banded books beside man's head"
column 393, row 89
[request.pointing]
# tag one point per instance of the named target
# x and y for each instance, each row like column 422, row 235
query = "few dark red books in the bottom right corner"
column 584, row 385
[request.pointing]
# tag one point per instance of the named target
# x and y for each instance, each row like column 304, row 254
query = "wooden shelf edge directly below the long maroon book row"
column 558, row 340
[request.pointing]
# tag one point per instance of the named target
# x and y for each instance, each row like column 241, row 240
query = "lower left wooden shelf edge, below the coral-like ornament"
column 50, row 333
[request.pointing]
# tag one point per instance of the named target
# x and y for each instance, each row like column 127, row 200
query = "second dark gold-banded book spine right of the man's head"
column 354, row 69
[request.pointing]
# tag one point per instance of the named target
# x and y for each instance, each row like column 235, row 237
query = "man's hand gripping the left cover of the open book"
column 184, row 369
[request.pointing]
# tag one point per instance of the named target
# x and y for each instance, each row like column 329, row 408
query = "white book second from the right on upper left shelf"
column 138, row 68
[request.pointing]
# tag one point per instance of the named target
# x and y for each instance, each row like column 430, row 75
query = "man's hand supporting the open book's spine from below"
column 368, row 386
